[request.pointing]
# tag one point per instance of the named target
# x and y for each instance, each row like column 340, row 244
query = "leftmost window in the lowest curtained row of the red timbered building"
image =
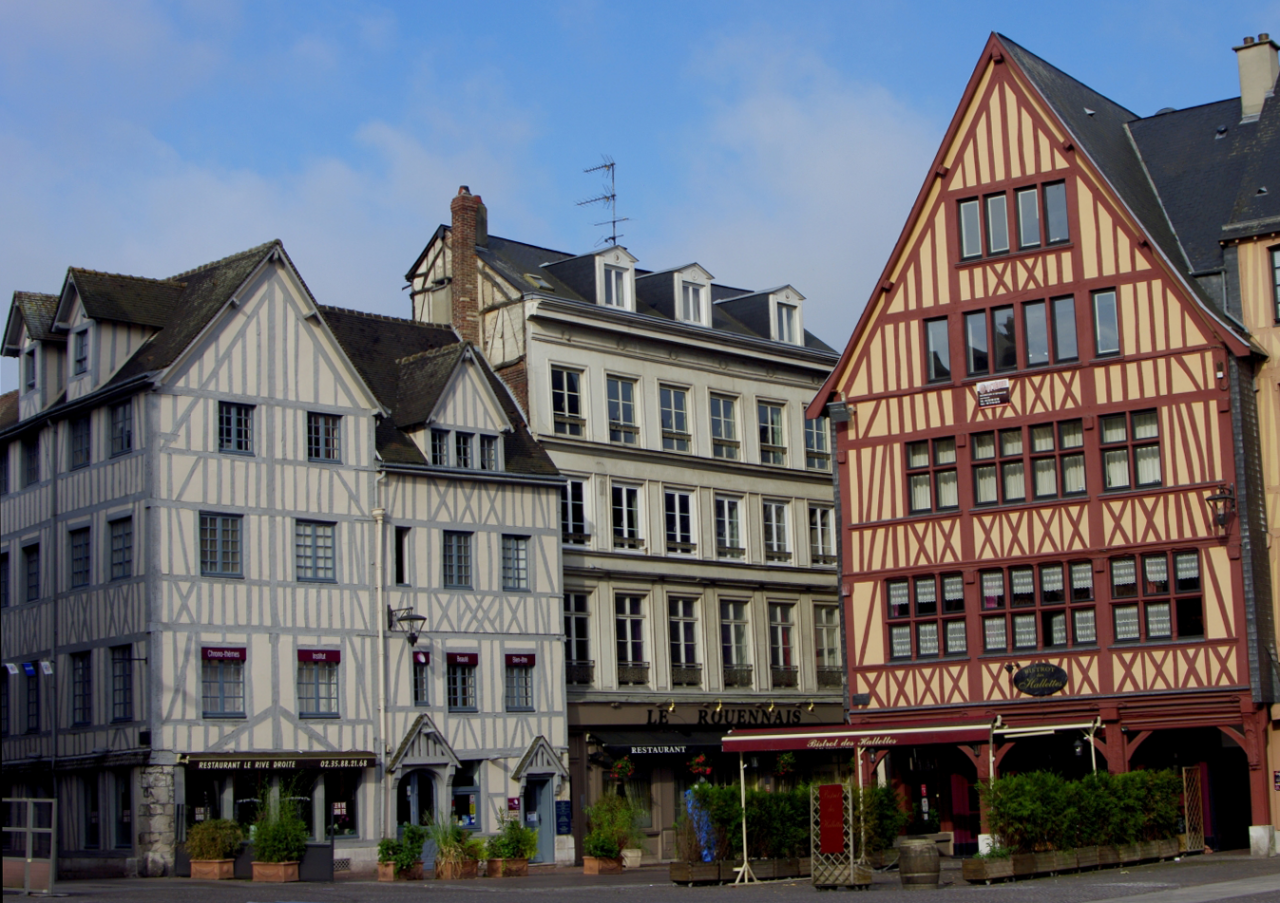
column 926, row 617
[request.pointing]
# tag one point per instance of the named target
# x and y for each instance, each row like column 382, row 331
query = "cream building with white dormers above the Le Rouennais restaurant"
column 697, row 514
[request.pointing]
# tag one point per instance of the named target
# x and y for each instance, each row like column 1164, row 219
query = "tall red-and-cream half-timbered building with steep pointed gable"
column 1037, row 466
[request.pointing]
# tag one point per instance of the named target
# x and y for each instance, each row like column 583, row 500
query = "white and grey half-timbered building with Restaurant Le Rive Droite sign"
column 252, row 545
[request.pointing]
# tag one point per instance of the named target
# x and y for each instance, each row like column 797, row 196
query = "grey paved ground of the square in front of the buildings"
column 1195, row 881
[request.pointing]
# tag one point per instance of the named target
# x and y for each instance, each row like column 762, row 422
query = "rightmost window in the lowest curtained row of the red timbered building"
column 1167, row 603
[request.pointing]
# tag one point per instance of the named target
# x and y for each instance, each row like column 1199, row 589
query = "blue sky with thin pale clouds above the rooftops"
column 772, row 143
